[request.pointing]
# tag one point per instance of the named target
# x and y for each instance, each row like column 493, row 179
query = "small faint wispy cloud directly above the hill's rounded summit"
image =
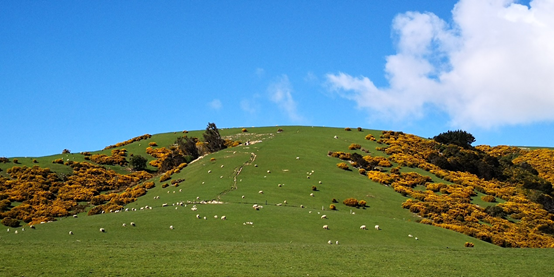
column 280, row 92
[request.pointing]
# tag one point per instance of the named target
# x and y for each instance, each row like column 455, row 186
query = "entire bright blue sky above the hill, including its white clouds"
column 85, row 74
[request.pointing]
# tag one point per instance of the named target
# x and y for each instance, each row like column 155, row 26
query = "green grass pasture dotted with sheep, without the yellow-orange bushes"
column 286, row 235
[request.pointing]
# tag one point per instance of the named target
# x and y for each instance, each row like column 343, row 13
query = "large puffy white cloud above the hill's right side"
column 492, row 67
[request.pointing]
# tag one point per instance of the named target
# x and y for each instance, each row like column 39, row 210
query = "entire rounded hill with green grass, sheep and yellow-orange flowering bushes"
column 425, row 197
